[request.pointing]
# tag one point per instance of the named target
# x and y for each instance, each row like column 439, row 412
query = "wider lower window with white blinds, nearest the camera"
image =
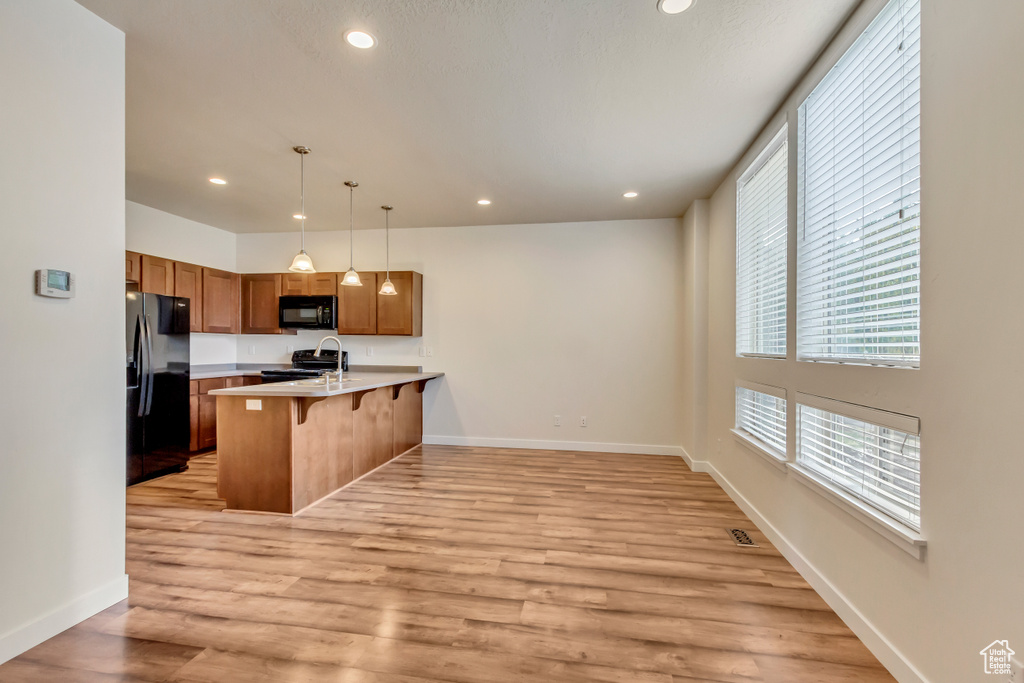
column 873, row 455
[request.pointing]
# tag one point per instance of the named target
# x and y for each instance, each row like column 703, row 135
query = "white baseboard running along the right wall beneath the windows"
column 881, row 648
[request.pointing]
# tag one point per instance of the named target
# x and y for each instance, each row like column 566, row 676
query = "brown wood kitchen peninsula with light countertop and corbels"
column 284, row 447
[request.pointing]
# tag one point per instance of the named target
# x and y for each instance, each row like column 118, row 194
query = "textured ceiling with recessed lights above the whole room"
column 551, row 109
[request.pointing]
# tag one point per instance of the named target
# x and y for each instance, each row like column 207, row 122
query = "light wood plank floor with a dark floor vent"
column 458, row 565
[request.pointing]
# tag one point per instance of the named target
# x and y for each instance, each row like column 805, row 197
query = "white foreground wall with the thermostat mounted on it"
column 62, row 198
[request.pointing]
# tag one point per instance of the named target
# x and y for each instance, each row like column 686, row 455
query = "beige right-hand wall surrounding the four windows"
column 927, row 620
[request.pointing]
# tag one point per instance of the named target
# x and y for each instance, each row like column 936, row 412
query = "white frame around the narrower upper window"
column 779, row 142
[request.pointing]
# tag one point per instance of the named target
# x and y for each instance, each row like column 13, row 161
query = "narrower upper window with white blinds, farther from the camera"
column 761, row 252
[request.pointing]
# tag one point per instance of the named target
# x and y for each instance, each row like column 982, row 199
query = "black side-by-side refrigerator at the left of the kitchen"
column 157, row 330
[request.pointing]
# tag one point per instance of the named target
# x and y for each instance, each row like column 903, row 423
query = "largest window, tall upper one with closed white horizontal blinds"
column 860, row 200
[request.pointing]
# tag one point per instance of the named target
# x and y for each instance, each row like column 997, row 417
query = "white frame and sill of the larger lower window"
column 909, row 539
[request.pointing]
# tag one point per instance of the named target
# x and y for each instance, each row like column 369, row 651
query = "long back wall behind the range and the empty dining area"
column 528, row 322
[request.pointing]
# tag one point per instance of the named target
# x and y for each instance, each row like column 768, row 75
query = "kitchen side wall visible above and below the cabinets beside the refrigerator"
column 150, row 231
